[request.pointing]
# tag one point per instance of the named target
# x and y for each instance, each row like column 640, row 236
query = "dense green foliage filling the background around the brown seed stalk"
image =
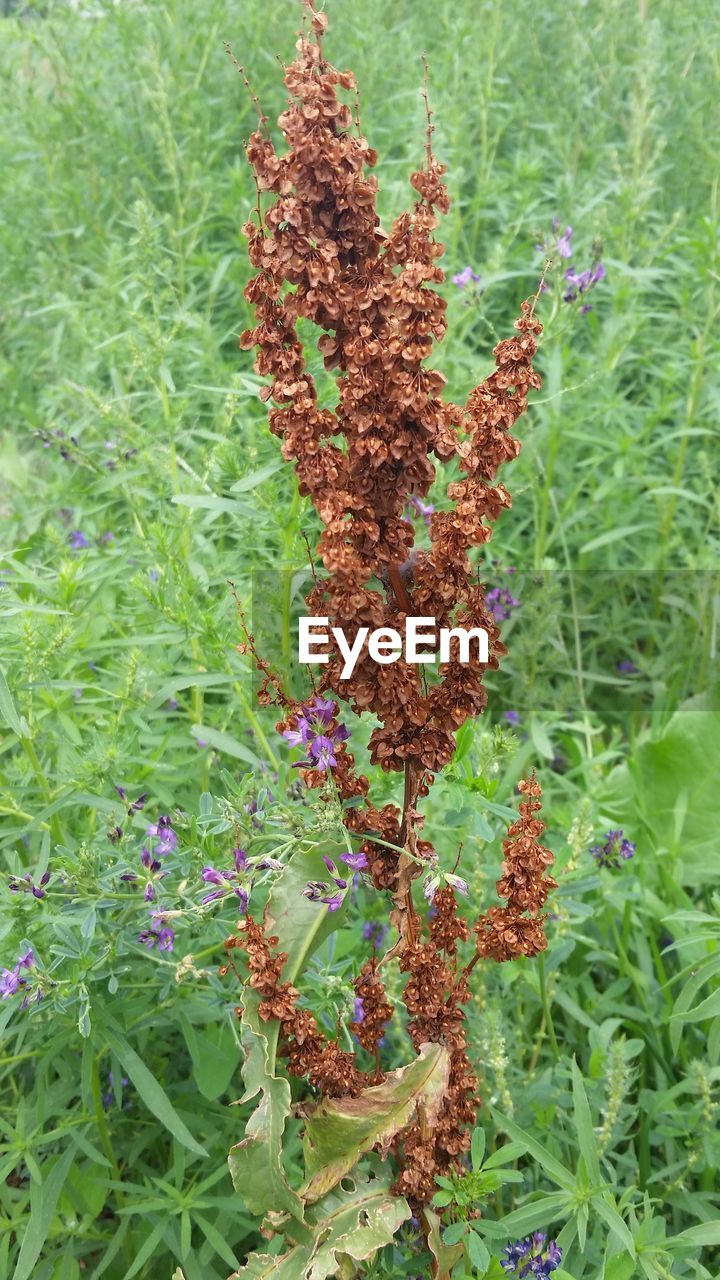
column 130, row 418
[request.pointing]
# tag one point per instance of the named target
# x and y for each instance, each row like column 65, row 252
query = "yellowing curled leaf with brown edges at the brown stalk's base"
column 338, row 1132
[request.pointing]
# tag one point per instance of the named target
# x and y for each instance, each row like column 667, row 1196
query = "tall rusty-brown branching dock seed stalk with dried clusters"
column 322, row 257
